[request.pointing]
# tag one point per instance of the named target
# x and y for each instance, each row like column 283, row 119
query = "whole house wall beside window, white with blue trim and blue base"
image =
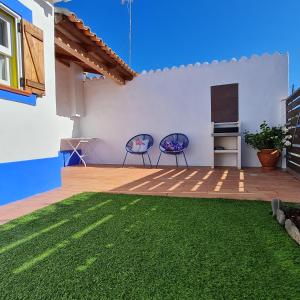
column 29, row 127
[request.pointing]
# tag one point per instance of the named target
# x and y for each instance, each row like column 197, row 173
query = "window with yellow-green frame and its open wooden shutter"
column 21, row 54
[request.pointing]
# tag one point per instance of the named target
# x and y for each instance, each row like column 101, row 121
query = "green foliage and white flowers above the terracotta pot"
column 267, row 137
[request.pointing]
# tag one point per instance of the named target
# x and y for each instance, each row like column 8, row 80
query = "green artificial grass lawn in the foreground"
column 103, row 246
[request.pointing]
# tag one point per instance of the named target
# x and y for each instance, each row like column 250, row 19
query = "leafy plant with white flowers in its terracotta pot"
column 270, row 142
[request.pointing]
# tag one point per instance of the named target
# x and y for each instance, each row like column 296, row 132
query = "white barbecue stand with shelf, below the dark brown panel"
column 226, row 144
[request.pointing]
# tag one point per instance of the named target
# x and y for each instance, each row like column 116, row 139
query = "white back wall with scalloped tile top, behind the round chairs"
column 178, row 100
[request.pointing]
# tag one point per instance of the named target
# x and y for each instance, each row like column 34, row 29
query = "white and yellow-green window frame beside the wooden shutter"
column 9, row 53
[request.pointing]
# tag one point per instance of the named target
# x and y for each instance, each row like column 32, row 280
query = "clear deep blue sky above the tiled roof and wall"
column 168, row 33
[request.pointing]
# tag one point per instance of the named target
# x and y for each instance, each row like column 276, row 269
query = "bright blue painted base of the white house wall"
column 26, row 178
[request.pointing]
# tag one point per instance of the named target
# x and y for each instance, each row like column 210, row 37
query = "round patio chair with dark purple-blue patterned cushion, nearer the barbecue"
column 174, row 144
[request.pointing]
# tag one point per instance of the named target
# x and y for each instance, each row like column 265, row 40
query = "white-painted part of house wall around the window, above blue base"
column 30, row 132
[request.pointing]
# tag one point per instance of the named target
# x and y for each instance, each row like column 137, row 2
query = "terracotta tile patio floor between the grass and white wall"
column 250, row 183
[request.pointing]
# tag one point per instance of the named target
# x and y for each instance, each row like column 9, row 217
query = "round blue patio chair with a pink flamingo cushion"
column 140, row 145
